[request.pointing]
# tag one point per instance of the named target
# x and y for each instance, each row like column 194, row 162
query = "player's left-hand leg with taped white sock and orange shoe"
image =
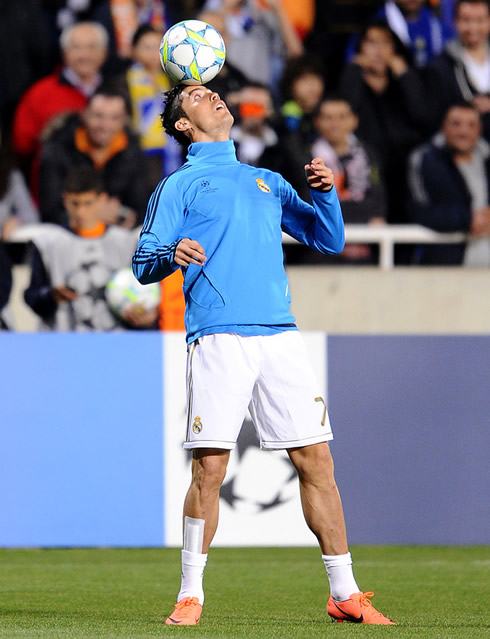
column 201, row 509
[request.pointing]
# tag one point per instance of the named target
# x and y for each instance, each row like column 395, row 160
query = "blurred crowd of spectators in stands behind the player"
column 394, row 95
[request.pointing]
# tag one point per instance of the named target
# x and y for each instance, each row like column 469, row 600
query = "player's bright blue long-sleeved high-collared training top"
column 237, row 213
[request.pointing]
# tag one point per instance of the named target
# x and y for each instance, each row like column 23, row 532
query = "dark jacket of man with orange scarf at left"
column 124, row 175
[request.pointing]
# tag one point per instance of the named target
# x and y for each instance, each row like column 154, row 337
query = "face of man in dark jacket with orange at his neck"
column 104, row 117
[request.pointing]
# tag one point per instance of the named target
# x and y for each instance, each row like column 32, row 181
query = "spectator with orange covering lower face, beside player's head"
column 252, row 132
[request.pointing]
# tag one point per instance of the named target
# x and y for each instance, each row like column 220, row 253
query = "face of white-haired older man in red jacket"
column 85, row 52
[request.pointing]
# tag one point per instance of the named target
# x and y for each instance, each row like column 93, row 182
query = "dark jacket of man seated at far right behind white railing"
column 440, row 200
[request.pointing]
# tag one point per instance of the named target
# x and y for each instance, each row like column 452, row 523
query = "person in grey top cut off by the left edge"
column 16, row 205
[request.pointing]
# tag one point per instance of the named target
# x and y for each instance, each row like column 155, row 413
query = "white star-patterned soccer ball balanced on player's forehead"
column 192, row 52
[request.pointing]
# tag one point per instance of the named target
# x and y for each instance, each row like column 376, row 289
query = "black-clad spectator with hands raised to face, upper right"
column 388, row 97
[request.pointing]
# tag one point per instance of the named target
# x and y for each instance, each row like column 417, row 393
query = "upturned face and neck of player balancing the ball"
column 207, row 116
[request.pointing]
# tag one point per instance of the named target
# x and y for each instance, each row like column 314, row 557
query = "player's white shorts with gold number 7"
column 270, row 375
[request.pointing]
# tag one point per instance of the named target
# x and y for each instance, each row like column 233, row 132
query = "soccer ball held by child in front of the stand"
column 124, row 291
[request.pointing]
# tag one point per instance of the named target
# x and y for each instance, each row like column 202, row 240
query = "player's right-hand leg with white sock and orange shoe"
column 324, row 515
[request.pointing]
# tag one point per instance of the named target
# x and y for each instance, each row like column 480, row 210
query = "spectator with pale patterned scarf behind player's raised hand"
column 356, row 171
